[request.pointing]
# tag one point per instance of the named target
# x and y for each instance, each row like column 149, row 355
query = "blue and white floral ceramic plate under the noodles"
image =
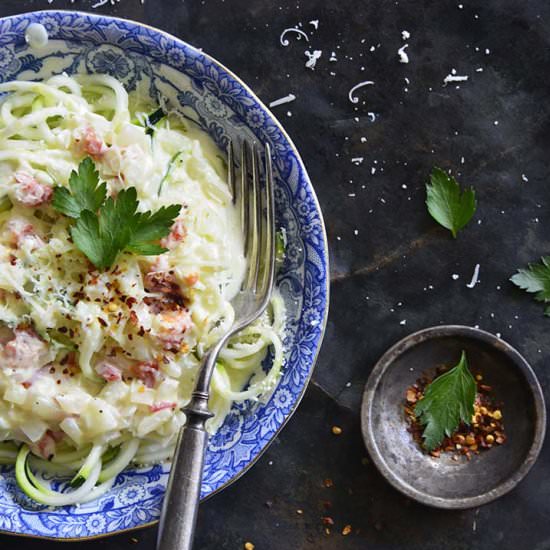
column 225, row 107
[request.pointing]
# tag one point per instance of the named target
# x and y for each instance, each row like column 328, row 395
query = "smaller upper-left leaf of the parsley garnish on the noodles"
column 86, row 193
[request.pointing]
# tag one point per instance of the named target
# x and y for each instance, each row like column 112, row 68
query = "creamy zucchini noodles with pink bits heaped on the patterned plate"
column 96, row 366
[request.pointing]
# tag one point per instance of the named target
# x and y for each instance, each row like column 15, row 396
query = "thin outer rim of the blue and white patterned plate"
column 325, row 247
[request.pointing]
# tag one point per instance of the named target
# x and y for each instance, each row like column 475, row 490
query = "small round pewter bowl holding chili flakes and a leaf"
column 443, row 482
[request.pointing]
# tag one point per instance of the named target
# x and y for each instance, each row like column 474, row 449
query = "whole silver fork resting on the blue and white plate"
column 179, row 511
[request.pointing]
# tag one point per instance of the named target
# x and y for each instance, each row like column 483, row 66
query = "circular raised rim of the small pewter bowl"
column 417, row 338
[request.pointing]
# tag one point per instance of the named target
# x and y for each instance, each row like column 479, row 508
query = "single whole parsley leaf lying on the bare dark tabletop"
column 446, row 204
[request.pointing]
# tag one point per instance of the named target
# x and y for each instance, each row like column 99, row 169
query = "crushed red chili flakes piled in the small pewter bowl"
column 485, row 431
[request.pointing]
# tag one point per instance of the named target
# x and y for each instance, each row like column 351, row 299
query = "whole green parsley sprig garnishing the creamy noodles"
column 104, row 227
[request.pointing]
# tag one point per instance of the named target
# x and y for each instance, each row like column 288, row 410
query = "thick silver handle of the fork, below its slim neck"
column 179, row 511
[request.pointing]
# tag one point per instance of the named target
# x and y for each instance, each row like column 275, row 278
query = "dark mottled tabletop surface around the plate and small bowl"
column 399, row 265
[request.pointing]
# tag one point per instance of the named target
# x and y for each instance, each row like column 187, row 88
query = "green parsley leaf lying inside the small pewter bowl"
column 447, row 401
